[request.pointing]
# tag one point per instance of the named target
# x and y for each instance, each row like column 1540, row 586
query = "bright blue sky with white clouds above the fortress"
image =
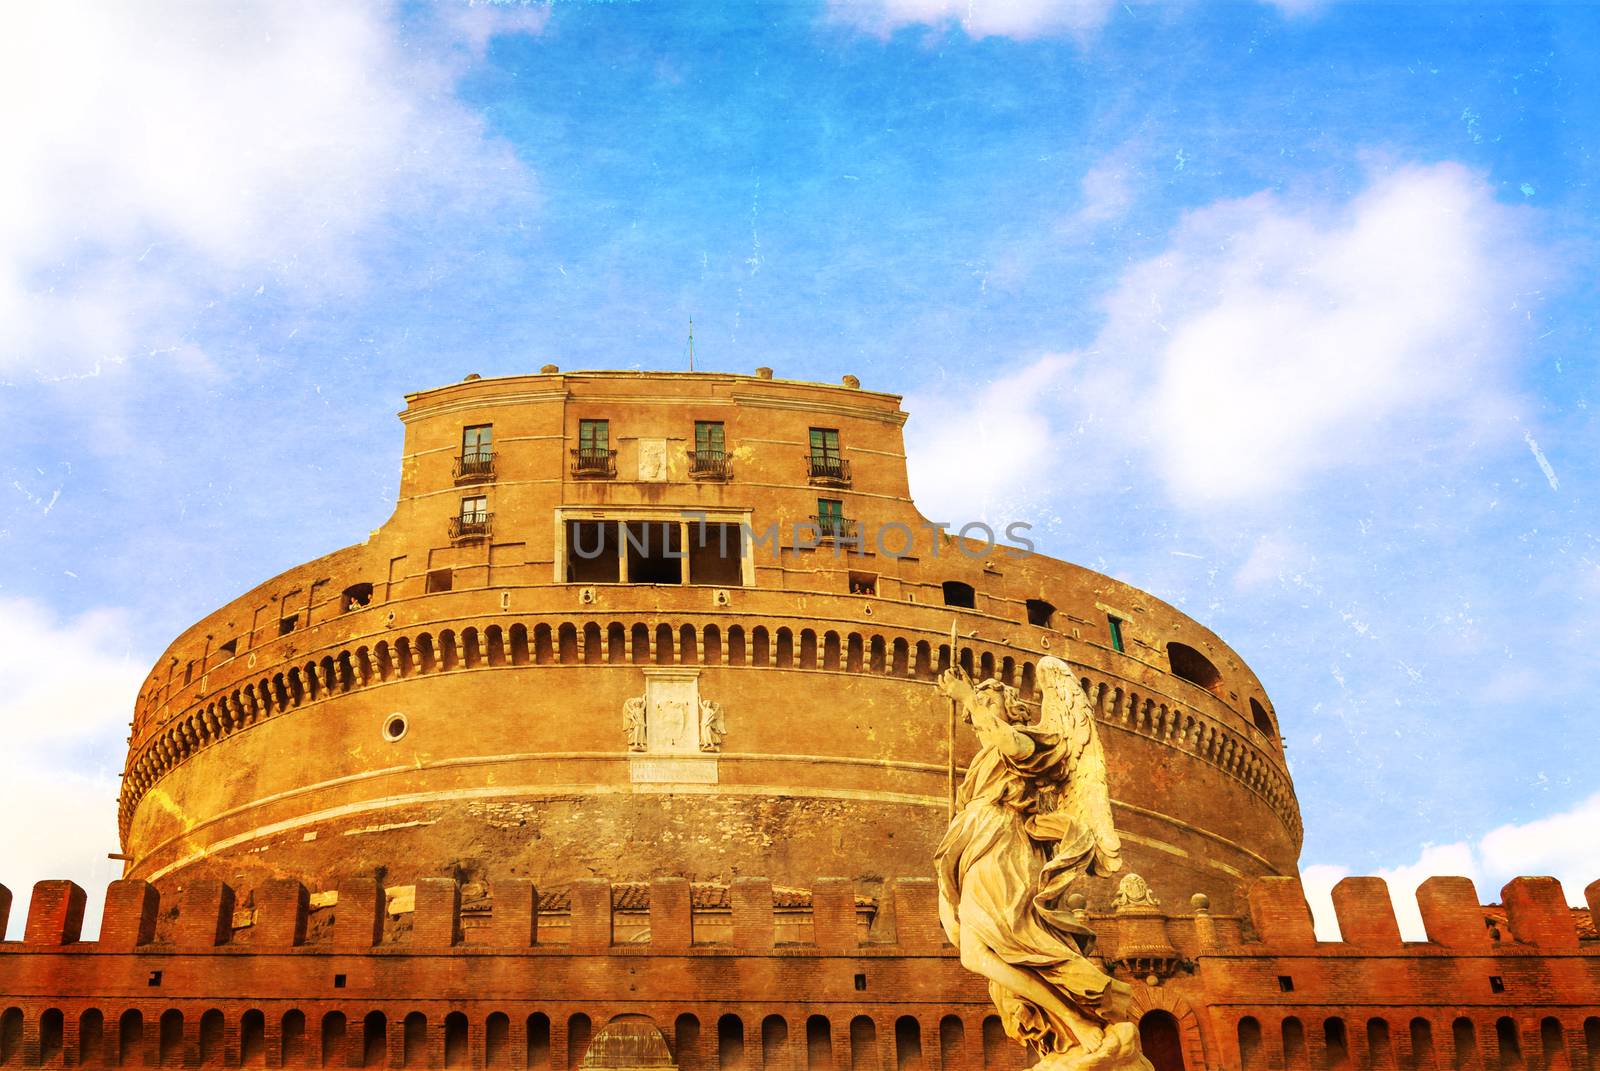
column 1282, row 311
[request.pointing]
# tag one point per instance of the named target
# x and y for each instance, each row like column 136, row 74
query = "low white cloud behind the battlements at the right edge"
column 1561, row 846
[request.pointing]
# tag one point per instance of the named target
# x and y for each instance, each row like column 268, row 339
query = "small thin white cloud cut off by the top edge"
column 978, row 18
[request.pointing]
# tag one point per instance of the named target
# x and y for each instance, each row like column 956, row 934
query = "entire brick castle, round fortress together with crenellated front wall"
column 618, row 747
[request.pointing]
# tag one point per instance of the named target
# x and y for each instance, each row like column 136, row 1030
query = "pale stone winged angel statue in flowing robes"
column 1033, row 817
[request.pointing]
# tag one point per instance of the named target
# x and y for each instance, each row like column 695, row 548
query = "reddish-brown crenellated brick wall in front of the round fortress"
column 753, row 976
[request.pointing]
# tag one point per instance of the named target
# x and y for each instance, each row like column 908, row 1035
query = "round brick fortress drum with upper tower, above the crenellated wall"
column 454, row 696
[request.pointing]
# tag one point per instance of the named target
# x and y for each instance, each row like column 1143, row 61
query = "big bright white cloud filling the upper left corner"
column 167, row 153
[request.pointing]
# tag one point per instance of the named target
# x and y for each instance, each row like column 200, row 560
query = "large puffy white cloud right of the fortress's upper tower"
column 1278, row 339
